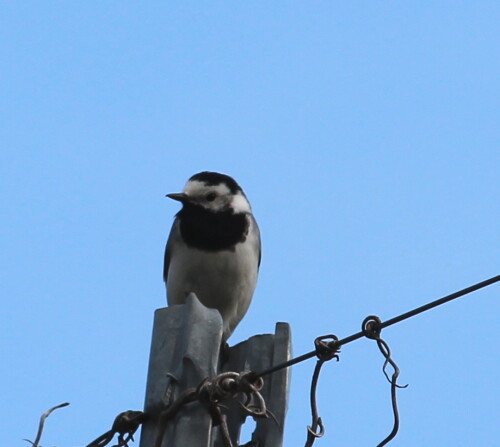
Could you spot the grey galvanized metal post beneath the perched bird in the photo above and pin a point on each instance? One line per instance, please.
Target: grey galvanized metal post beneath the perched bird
(184, 351)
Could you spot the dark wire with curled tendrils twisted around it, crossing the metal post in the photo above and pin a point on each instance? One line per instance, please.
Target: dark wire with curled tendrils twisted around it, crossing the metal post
(249, 383)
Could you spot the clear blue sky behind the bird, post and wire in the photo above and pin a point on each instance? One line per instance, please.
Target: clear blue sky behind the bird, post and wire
(366, 135)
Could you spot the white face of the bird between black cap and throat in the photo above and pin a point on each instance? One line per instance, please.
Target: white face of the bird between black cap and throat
(216, 197)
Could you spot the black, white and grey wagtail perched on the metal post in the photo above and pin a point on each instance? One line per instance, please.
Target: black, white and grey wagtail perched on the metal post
(214, 248)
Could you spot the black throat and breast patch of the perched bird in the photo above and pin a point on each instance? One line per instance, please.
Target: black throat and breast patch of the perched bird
(212, 231)
